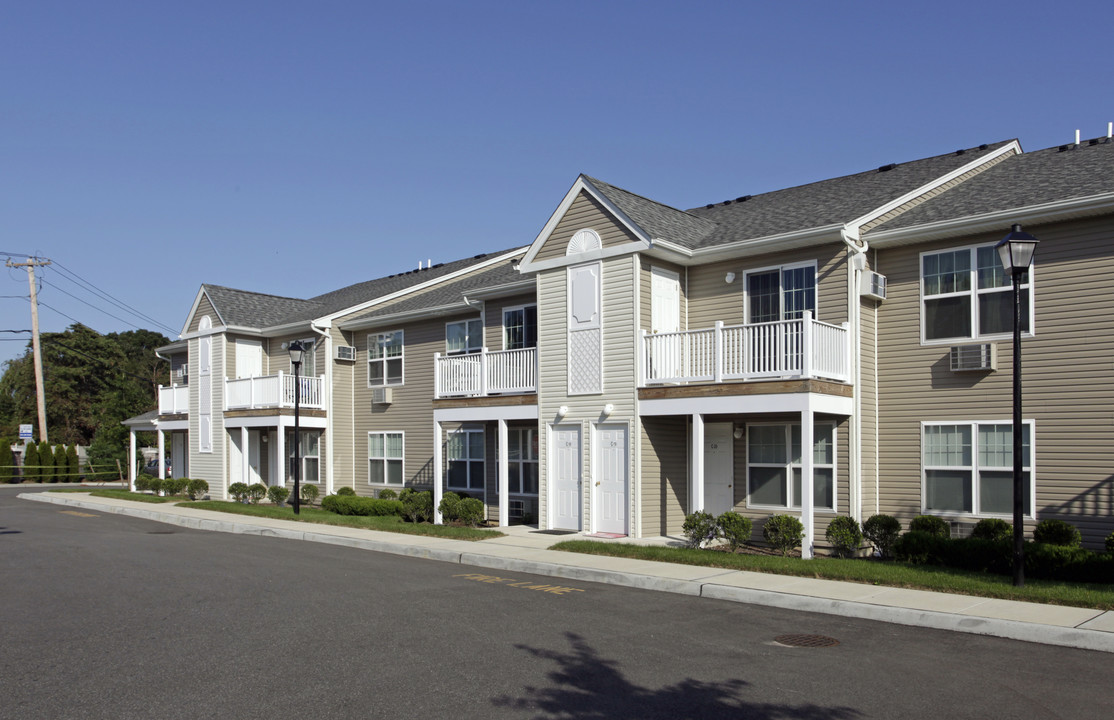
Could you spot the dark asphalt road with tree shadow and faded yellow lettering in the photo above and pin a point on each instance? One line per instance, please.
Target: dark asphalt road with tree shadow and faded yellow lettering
(112, 617)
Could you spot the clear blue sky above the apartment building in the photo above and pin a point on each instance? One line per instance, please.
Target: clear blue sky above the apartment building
(296, 148)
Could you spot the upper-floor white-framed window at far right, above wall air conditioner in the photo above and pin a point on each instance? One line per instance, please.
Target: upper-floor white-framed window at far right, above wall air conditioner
(966, 296)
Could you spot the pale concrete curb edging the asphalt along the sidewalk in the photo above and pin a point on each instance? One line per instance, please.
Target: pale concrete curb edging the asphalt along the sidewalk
(1014, 630)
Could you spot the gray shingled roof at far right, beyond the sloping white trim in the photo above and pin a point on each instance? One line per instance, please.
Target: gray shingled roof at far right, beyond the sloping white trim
(1022, 181)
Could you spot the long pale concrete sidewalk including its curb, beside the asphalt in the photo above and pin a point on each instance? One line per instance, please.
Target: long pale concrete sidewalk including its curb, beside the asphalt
(525, 550)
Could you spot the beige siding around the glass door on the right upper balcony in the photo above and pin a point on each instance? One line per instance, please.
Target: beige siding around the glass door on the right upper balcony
(711, 298)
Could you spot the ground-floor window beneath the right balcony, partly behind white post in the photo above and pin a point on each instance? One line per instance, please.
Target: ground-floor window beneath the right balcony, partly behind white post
(774, 465)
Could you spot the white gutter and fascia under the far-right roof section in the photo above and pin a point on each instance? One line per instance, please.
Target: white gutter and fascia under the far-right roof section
(1044, 212)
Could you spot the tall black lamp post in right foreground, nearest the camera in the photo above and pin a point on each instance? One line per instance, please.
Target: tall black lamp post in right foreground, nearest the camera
(1017, 252)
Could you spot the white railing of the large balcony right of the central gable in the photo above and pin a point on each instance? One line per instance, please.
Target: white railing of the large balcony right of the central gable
(804, 348)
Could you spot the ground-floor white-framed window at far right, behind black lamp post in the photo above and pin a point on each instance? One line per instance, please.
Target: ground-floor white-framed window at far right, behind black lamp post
(970, 468)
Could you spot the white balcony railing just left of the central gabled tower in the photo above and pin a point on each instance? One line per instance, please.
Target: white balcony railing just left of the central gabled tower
(485, 373)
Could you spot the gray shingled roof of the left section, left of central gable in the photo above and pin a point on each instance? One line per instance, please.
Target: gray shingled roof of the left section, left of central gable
(258, 310)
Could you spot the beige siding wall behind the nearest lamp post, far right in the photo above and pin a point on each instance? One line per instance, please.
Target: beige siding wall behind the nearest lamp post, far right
(1068, 376)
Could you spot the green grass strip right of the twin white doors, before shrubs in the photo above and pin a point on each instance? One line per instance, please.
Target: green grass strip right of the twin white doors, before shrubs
(891, 575)
